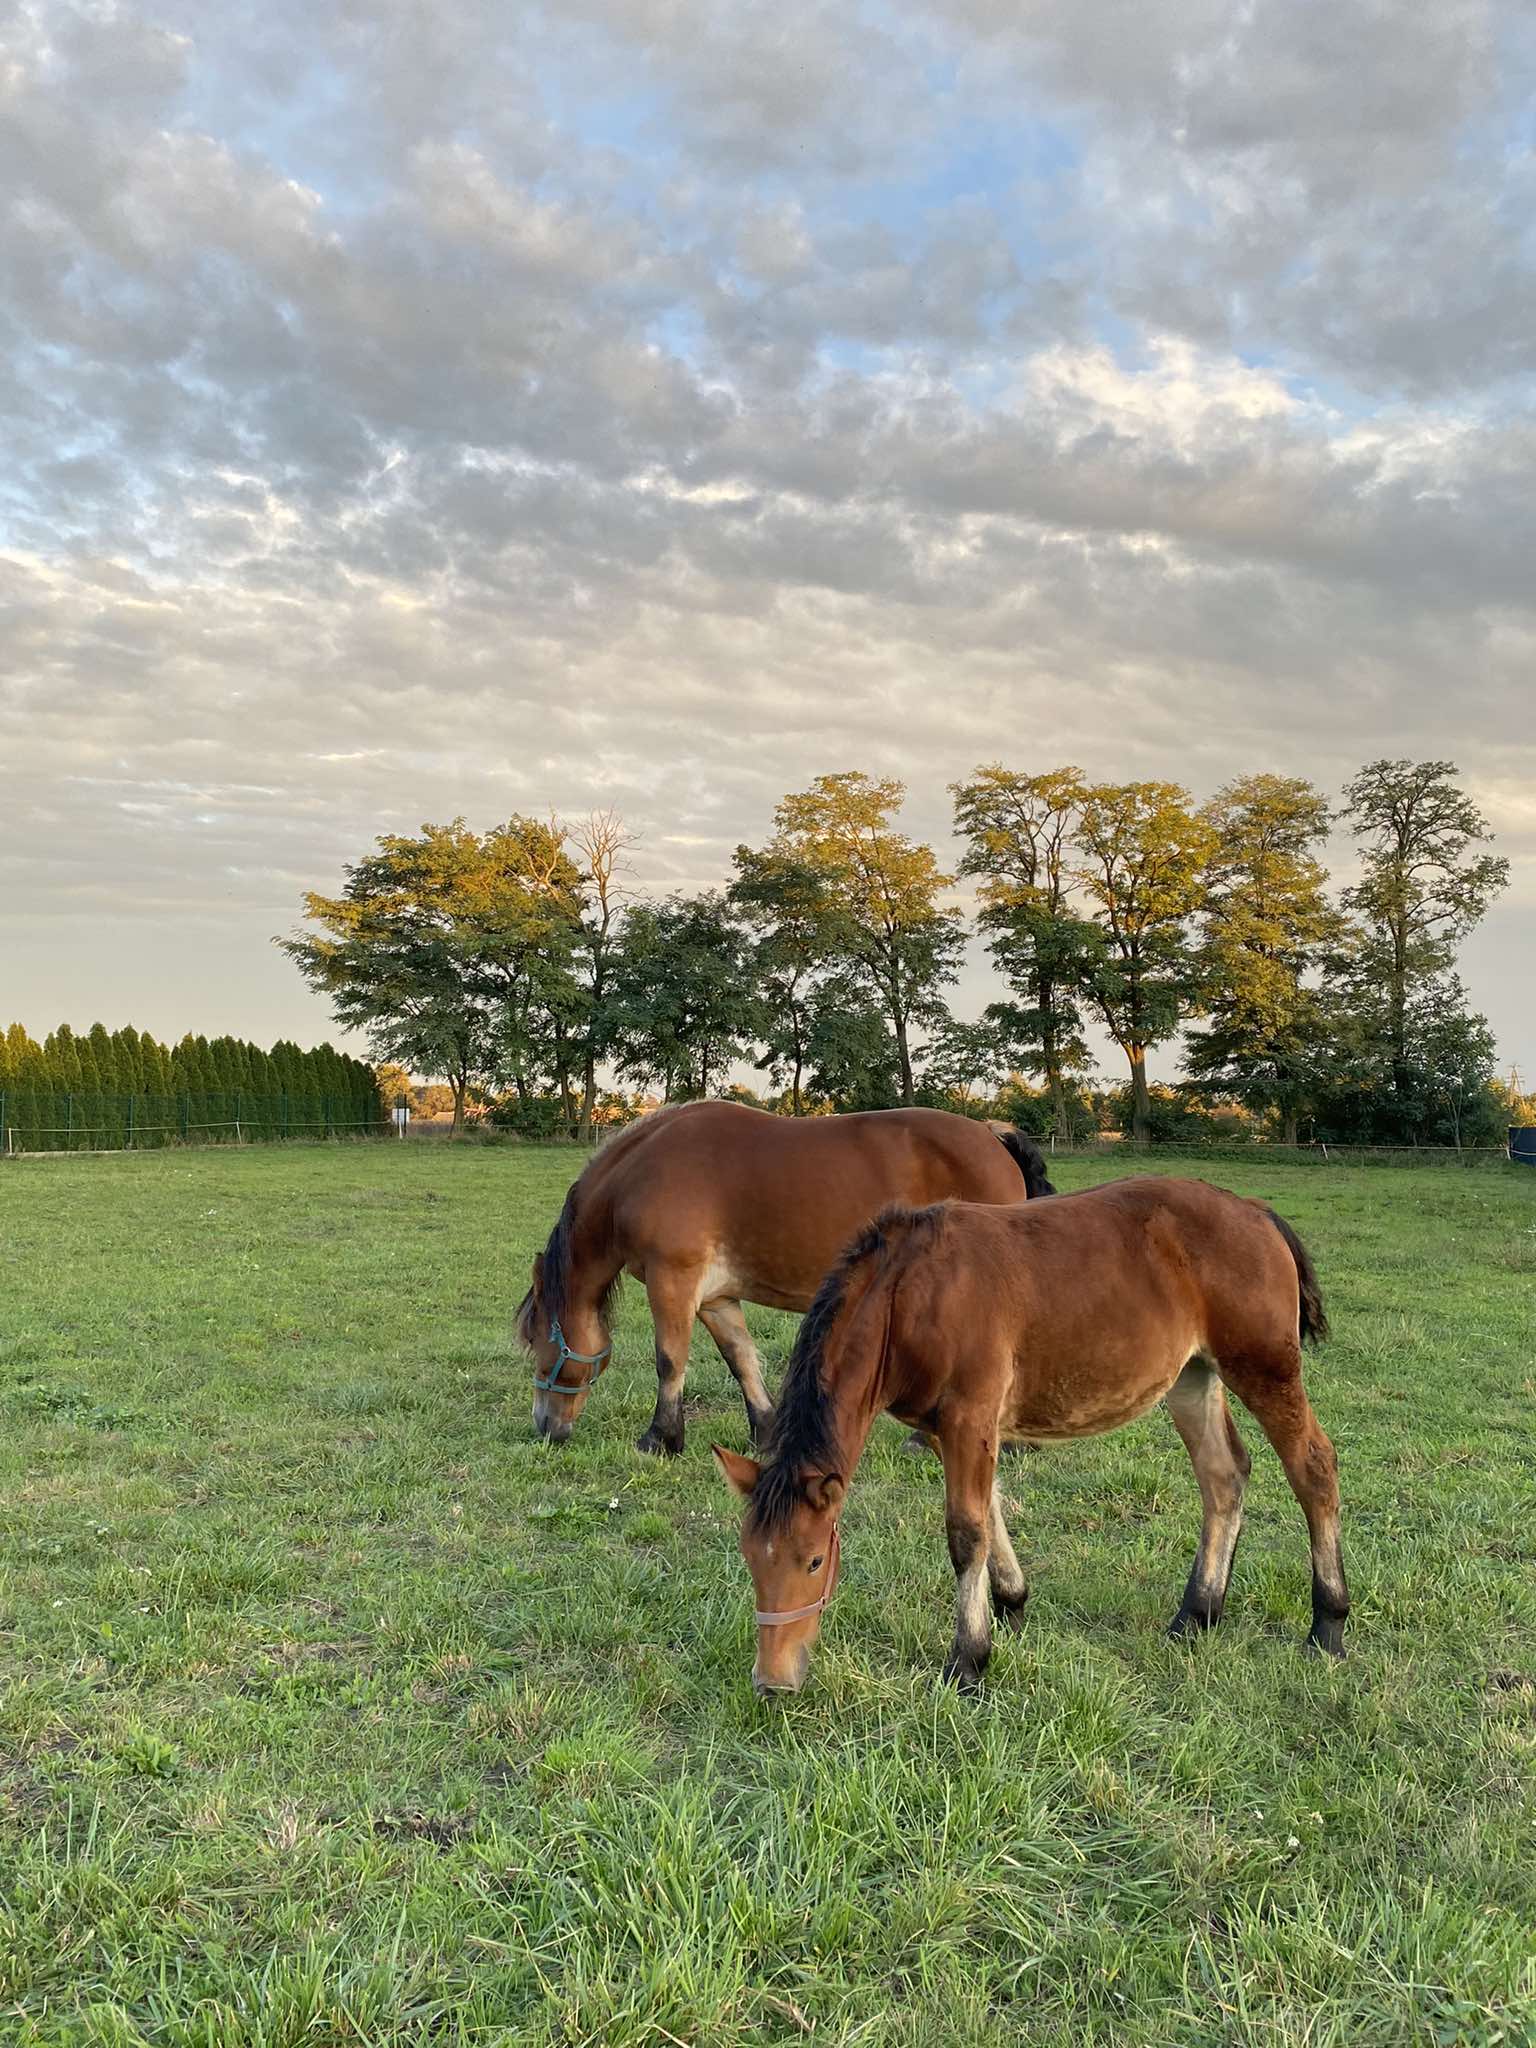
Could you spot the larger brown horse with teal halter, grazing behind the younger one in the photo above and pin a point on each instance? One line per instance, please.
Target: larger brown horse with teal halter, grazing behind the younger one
(712, 1205)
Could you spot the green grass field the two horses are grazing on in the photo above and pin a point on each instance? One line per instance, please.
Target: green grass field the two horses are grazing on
(337, 1711)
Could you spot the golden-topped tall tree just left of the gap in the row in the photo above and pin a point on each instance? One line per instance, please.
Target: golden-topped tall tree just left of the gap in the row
(890, 888)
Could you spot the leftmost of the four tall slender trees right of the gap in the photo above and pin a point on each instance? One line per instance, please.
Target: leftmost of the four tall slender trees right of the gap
(1019, 841)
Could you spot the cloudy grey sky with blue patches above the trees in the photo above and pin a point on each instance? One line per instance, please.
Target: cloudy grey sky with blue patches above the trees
(425, 411)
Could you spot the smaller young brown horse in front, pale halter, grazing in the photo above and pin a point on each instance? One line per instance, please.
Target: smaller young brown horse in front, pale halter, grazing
(1041, 1324)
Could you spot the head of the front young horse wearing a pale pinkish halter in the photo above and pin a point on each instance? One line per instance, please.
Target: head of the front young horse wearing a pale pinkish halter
(792, 1549)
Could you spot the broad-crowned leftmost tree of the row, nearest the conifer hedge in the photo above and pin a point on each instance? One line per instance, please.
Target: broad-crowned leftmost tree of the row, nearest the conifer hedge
(447, 945)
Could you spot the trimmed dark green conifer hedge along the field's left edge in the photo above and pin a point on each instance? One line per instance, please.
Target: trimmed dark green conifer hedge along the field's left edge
(108, 1091)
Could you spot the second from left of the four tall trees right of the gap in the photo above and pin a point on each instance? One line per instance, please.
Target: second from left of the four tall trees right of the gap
(1144, 859)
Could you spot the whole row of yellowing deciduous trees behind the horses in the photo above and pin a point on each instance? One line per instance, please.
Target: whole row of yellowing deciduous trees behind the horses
(519, 964)
